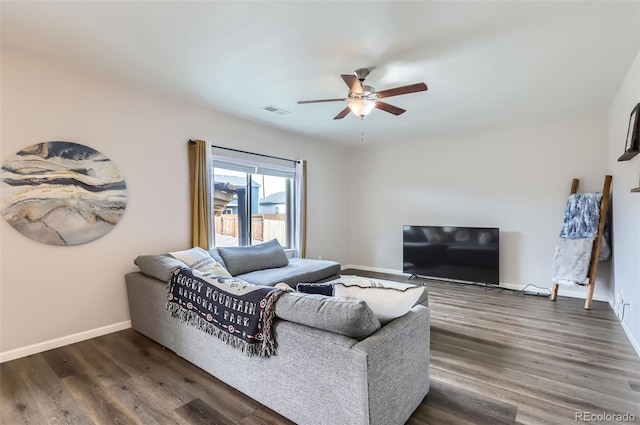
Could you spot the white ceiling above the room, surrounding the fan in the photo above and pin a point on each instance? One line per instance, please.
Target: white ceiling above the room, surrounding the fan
(486, 63)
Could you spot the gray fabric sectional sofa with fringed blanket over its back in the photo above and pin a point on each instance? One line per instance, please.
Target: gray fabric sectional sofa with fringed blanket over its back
(335, 362)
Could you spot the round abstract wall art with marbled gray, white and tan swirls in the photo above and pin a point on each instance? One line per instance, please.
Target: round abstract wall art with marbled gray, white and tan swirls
(62, 193)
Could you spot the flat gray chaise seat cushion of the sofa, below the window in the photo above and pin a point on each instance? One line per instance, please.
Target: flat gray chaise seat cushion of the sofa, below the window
(298, 270)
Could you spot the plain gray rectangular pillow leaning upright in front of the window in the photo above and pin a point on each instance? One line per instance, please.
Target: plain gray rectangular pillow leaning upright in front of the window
(244, 259)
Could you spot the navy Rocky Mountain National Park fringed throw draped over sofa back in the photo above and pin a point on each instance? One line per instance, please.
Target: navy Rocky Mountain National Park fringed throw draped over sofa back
(239, 313)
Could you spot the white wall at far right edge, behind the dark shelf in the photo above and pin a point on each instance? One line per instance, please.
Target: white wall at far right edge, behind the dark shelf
(626, 206)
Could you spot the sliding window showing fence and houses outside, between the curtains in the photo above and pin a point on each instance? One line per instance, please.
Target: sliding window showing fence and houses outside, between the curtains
(255, 201)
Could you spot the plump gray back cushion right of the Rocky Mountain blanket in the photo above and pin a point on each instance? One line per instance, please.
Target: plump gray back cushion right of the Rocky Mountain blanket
(345, 316)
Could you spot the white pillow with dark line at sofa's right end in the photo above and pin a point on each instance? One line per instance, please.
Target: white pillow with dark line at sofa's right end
(387, 300)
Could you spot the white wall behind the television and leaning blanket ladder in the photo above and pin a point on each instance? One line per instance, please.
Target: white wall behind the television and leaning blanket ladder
(517, 179)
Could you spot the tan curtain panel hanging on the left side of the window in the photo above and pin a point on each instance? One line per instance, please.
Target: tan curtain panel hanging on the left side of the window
(199, 180)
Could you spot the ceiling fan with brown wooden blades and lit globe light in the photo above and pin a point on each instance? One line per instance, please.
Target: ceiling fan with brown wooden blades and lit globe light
(362, 98)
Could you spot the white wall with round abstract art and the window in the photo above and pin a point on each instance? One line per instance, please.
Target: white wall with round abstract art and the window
(52, 295)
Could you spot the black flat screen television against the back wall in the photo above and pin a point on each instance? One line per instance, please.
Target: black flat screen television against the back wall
(468, 254)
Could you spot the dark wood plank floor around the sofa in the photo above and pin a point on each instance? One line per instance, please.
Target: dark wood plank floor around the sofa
(496, 358)
